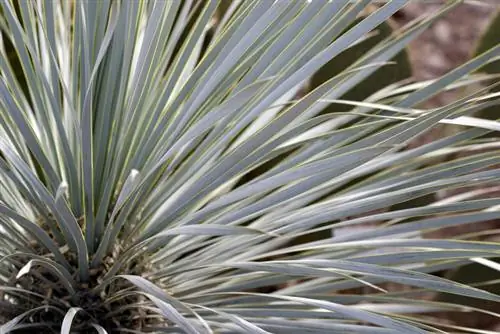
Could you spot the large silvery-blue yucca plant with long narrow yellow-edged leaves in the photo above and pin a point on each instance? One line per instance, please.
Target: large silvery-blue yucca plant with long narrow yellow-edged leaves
(128, 131)
